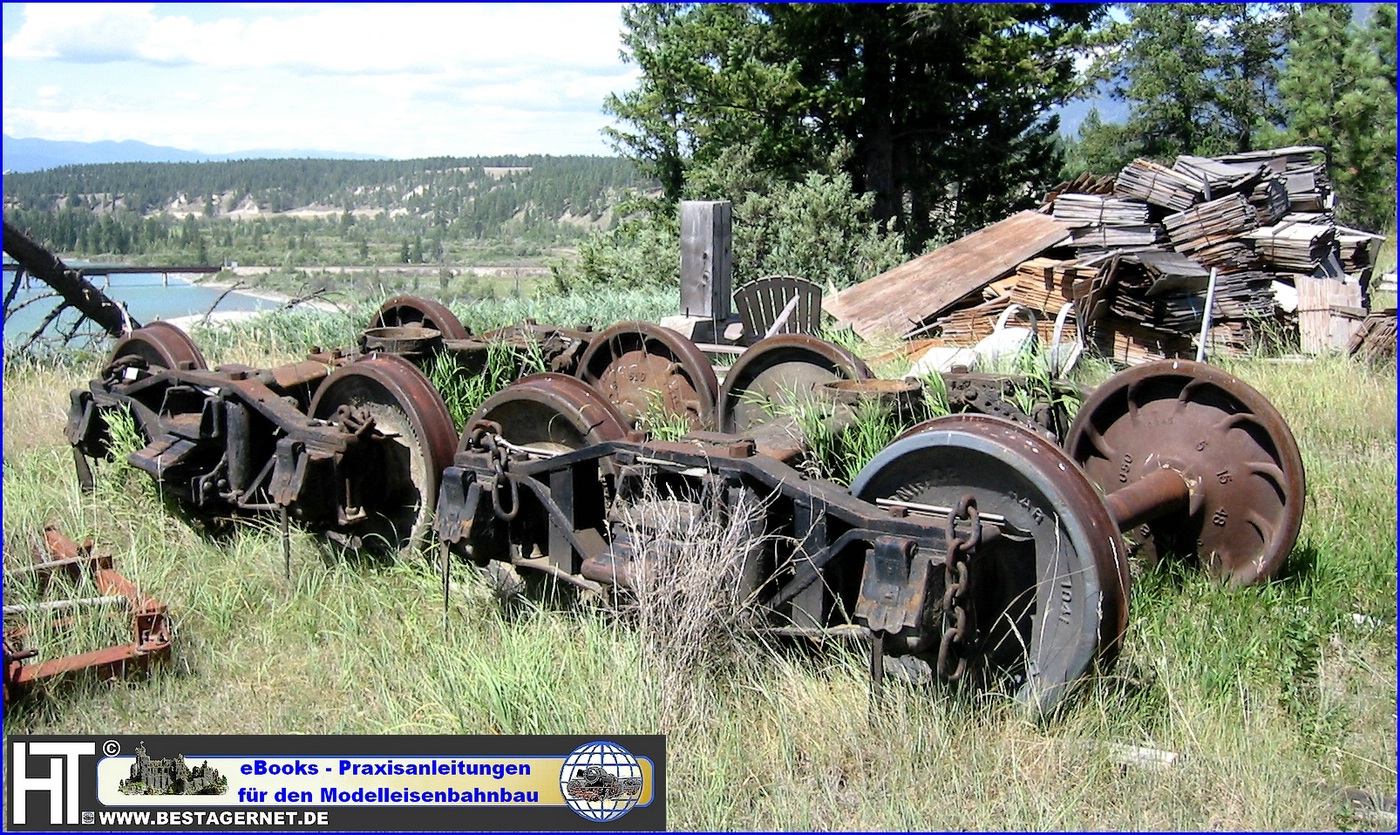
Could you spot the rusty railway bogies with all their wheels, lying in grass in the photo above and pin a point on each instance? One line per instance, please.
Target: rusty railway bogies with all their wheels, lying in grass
(972, 543)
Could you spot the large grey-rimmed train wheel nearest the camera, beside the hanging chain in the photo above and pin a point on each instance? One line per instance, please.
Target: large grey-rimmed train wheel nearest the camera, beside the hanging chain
(1051, 595)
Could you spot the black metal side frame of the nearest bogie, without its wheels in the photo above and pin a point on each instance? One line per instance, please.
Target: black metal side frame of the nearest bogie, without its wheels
(825, 527)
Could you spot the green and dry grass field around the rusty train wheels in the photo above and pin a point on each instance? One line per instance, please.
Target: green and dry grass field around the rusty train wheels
(1275, 698)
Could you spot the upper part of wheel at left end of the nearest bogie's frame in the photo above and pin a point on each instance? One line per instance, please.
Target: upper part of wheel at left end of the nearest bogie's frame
(554, 413)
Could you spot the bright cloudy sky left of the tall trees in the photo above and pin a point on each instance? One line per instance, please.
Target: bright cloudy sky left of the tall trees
(395, 81)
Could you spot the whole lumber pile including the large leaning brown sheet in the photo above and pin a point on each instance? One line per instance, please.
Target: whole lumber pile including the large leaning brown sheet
(1136, 257)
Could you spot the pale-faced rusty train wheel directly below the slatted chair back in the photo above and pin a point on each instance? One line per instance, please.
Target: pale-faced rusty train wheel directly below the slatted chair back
(782, 372)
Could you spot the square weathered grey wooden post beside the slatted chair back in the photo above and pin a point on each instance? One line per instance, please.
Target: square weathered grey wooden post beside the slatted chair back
(706, 260)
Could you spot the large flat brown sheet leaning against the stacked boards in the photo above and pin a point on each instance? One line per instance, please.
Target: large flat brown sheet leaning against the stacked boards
(904, 299)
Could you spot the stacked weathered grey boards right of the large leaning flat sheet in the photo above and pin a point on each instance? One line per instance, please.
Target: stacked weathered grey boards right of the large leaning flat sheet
(1262, 222)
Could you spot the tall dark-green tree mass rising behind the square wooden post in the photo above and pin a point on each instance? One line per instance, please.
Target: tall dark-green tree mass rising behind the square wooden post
(943, 106)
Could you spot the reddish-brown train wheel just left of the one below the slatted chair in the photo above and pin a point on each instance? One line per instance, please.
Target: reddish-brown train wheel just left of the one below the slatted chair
(643, 368)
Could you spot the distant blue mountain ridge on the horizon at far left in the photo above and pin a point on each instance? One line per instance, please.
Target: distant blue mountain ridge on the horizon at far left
(38, 155)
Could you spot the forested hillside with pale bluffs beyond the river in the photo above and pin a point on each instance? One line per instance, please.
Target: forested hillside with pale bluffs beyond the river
(314, 211)
